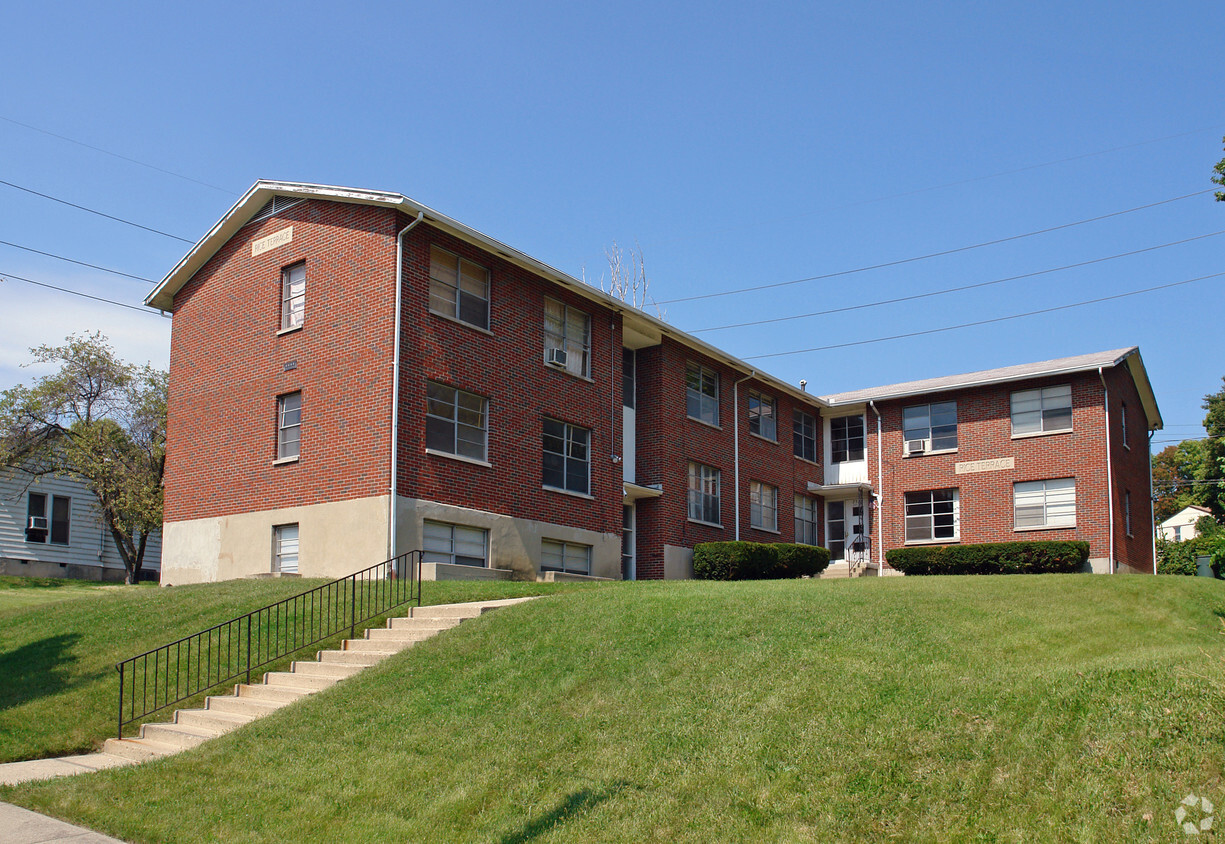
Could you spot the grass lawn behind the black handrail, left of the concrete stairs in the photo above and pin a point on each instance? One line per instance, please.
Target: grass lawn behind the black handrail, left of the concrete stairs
(59, 649)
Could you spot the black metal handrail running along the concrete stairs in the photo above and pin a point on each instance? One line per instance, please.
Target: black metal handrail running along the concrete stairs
(232, 650)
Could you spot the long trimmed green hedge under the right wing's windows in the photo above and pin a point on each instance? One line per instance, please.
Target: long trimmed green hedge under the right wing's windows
(1033, 558)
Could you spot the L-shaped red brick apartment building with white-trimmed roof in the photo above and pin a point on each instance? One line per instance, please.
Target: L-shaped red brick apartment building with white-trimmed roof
(526, 424)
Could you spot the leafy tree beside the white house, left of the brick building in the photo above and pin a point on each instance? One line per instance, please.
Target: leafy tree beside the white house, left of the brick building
(102, 422)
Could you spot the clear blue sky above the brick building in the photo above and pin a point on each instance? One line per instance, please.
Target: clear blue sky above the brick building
(739, 146)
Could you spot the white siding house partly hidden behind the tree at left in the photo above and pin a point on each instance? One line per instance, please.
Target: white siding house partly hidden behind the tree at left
(50, 527)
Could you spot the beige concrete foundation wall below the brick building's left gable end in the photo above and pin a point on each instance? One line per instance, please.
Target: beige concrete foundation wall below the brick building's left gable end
(335, 540)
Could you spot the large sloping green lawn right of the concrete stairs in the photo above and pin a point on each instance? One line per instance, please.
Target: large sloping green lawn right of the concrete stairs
(995, 709)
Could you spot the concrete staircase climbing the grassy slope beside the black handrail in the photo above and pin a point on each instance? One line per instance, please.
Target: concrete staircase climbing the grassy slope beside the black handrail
(252, 701)
